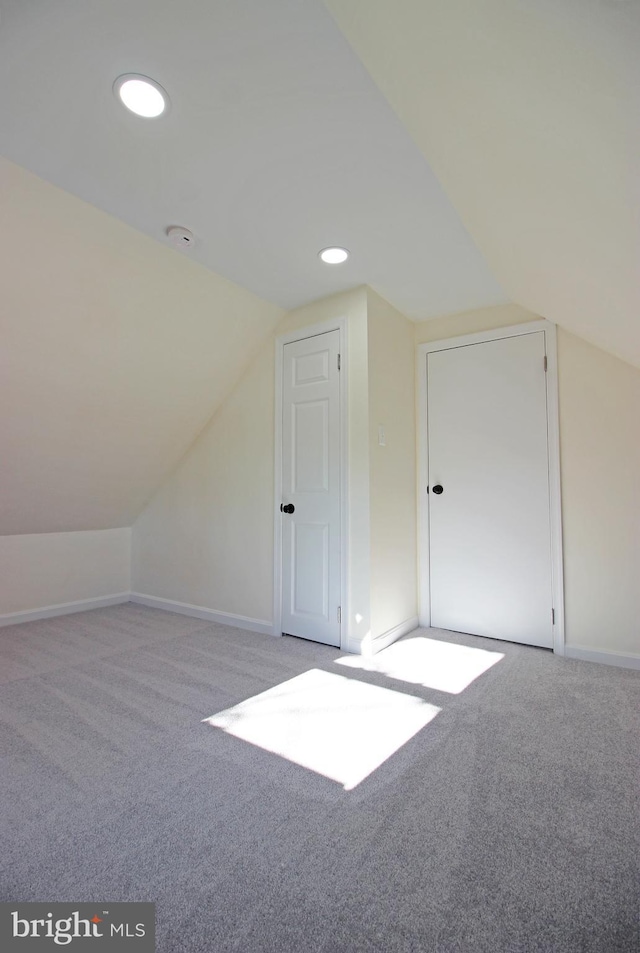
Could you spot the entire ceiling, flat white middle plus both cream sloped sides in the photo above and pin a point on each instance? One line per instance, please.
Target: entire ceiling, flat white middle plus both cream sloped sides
(467, 153)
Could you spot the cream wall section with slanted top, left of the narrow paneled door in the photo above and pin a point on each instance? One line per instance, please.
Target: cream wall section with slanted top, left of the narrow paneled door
(206, 538)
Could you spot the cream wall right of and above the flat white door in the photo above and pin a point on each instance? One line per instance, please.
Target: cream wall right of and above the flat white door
(599, 398)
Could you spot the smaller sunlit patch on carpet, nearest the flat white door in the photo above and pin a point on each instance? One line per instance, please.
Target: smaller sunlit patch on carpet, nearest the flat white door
(445, 666)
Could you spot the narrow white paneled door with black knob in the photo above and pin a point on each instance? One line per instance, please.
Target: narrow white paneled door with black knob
(310, 510)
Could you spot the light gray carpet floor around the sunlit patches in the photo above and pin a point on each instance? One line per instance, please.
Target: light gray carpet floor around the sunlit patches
(508, 824)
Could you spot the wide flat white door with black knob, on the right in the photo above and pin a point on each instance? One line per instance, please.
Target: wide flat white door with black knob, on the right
(489, 517)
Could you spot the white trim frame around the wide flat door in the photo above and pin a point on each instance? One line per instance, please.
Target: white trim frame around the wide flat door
(553, 443)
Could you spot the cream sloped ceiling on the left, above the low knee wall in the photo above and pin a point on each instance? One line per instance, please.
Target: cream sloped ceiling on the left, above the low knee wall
(114, 352)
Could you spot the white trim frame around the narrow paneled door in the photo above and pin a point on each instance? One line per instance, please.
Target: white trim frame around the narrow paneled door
(313, 330)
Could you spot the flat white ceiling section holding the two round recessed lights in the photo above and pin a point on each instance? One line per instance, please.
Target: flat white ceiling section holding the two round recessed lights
(277, 144)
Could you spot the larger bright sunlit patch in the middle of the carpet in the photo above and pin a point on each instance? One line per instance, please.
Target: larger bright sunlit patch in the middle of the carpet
(336, 726)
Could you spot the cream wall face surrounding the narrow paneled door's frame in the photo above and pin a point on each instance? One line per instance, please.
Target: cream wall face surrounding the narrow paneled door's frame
(206, 538)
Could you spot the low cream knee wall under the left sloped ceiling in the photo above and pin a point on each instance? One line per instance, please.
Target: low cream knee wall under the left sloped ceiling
(50, 569)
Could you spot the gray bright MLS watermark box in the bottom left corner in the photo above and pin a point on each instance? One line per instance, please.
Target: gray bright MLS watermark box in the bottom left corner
(126, 927)
